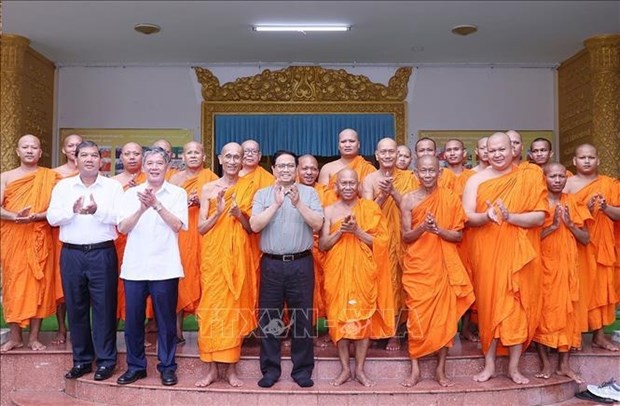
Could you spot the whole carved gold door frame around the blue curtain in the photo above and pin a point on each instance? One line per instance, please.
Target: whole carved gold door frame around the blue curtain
(305, 90)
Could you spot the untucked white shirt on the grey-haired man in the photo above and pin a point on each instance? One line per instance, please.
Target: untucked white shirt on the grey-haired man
(152, 251)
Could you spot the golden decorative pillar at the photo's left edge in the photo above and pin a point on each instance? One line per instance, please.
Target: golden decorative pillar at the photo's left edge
(27, 98)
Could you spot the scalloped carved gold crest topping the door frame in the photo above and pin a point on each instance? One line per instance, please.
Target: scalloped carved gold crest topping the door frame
(304, 84)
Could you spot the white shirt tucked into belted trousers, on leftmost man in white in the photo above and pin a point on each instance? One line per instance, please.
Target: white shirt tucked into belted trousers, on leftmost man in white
(85, 228)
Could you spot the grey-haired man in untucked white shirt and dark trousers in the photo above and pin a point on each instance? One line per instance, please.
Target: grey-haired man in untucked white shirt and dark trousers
(152, 214)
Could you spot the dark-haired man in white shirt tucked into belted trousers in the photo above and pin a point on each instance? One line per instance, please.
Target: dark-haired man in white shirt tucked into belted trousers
(84, 208)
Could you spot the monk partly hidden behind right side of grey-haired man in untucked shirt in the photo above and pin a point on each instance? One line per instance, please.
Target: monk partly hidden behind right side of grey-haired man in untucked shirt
(192, 179)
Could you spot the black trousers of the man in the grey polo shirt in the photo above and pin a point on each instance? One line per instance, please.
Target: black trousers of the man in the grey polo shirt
(291, 282)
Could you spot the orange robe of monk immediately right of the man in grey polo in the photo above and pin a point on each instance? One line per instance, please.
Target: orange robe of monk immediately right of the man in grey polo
(358, 286)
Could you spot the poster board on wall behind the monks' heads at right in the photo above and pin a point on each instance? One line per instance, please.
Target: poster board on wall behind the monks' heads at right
(471, 137)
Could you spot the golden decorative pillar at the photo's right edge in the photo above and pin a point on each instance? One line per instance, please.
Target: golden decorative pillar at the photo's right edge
(604, 53)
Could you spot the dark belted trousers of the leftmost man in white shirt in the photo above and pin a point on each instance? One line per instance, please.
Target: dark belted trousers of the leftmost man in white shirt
(90, 278)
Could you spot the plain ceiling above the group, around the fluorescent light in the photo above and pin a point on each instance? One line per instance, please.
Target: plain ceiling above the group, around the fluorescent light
(383, 32)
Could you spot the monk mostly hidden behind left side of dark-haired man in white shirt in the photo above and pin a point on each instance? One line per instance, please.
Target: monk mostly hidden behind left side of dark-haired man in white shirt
(68, 169)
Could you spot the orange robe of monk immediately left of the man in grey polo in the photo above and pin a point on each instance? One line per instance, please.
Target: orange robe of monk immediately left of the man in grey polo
(228, 301)
